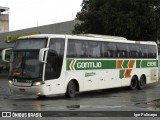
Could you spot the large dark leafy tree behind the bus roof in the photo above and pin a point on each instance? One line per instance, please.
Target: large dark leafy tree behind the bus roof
(133, 19)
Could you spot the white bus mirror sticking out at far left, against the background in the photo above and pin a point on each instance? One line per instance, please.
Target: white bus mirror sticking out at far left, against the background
(6, 54)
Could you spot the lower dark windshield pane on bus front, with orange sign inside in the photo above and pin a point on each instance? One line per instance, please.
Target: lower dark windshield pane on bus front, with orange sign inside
(26, 64)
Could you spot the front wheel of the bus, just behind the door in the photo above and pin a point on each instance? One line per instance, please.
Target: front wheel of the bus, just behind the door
(71, 90)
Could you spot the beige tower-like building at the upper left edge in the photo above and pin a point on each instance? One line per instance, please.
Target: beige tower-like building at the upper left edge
(4, 19)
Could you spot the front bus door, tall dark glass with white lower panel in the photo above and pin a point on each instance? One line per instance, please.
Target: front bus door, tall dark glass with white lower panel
(54, 65)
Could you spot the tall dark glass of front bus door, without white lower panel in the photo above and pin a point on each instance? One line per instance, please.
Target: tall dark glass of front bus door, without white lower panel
(54, 59)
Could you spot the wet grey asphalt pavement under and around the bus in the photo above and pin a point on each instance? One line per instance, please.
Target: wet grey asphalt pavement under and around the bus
(119, 99)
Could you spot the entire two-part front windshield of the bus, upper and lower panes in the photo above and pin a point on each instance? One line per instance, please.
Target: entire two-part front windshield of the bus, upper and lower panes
(25, 63)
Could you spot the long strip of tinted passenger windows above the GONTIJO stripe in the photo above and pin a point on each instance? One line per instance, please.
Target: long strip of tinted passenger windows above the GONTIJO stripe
(96, 49)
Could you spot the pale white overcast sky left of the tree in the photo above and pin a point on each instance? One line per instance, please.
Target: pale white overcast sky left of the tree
(32, 13)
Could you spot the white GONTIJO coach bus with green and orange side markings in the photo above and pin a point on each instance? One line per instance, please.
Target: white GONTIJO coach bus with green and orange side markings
(50, 64)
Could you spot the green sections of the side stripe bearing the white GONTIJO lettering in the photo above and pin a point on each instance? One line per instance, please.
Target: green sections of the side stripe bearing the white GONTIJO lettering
(106, 64)
